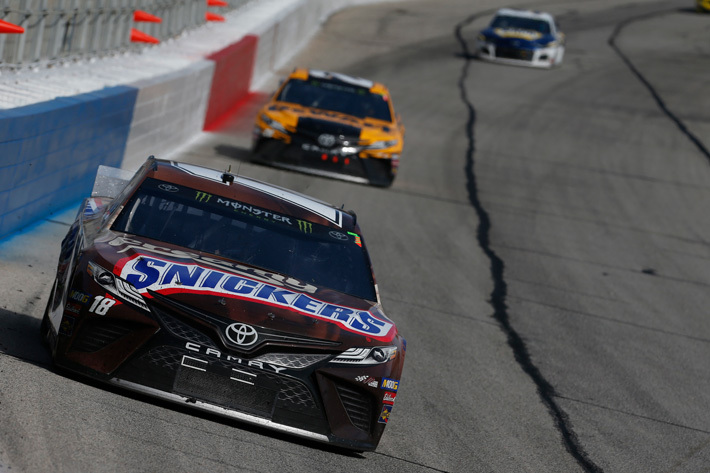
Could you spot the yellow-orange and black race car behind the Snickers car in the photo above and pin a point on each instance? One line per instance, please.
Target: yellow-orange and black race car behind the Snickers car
(333, 125)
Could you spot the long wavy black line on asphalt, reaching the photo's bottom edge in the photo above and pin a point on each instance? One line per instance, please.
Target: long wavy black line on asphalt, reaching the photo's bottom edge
(500, 289)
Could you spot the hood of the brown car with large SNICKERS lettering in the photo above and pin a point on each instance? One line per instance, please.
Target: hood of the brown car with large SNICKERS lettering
(216, 288)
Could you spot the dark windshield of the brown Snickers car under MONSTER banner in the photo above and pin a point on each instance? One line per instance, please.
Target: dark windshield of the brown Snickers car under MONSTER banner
(225, 227)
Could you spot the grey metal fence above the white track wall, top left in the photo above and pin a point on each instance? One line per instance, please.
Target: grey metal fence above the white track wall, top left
(62, 30)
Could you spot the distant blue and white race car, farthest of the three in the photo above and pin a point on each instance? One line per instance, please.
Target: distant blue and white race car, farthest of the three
(521, 37)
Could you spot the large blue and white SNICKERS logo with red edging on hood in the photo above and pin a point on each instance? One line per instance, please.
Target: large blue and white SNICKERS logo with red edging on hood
(165, 276)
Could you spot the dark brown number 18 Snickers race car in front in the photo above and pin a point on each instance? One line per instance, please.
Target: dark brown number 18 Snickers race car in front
(229, 295)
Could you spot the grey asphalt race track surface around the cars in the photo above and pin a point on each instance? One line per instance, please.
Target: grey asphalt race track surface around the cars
(545, 250)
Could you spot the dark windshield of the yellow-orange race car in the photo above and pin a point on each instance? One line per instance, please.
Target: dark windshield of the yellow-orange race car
(337, 97)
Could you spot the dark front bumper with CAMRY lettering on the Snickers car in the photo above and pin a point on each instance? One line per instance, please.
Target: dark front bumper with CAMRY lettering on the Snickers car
(299, 393)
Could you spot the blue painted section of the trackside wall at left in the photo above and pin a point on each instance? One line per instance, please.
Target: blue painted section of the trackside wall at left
(49, 152)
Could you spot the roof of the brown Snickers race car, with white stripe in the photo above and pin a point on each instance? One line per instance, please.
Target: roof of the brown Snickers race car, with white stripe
(252, 191)
